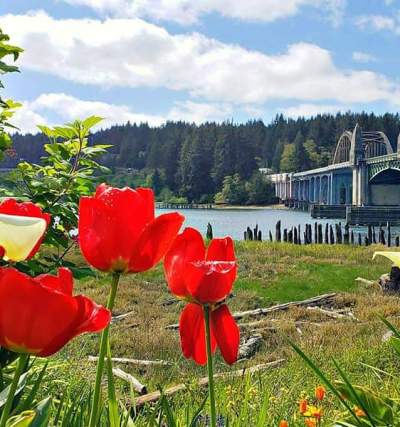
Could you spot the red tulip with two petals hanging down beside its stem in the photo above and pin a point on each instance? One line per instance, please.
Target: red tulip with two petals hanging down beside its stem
(203, 277)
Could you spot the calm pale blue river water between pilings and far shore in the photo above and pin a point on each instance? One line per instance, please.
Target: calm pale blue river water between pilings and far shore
(234, 222)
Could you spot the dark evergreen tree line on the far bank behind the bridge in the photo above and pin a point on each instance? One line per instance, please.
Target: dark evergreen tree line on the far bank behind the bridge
(216, 162)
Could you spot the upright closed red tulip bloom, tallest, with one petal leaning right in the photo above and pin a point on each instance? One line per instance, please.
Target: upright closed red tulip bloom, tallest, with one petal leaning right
(118, 231)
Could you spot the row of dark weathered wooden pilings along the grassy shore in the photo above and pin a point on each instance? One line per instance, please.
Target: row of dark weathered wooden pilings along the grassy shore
(329, 234)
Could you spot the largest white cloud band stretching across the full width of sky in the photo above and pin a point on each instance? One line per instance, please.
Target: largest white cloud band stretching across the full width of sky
(134, 53)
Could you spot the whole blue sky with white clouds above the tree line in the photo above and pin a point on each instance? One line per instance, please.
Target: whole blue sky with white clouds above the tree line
(201, 60)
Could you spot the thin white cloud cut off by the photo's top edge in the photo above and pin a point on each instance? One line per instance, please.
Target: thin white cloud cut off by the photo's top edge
(189, 11)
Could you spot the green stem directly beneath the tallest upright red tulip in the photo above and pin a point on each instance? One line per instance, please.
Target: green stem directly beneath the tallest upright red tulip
(94, 413)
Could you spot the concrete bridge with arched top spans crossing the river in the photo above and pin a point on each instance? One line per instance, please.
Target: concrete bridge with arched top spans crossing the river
(365, 173)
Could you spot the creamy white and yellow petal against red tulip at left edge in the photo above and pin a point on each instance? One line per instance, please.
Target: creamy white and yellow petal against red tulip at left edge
(19, 235)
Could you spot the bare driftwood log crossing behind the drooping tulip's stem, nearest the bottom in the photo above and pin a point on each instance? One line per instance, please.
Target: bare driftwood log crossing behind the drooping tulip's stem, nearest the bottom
(153, 397)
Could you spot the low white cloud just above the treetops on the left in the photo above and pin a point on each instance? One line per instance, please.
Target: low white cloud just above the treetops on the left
(67, 108)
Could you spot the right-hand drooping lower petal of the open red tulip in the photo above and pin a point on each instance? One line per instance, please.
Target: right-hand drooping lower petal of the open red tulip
(226, 333)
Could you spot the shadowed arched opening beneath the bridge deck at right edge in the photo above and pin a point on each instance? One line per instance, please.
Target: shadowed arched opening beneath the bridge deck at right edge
(384, 187)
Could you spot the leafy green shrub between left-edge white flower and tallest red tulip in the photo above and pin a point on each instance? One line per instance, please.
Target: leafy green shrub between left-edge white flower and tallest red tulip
(68, 171)
